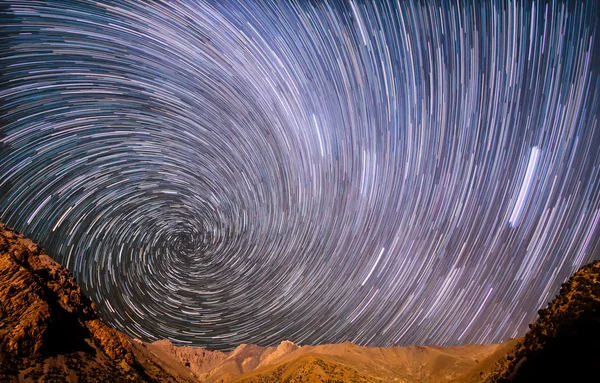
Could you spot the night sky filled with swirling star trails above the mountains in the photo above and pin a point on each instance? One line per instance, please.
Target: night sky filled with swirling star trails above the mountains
(218, 173)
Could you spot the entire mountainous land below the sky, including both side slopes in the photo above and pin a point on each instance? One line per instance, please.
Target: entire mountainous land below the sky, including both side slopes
(51, 332)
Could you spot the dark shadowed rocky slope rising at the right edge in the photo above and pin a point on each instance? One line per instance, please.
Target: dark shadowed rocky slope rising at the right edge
(563, 345)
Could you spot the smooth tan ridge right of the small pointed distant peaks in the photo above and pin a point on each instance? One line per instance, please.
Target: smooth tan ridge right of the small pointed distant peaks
(348, 362)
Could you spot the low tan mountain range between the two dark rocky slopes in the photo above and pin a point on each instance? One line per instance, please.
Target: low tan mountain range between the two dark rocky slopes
(332, 362)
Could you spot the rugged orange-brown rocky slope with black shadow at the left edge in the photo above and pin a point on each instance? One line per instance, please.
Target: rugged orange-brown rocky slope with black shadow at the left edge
(49, 330)
